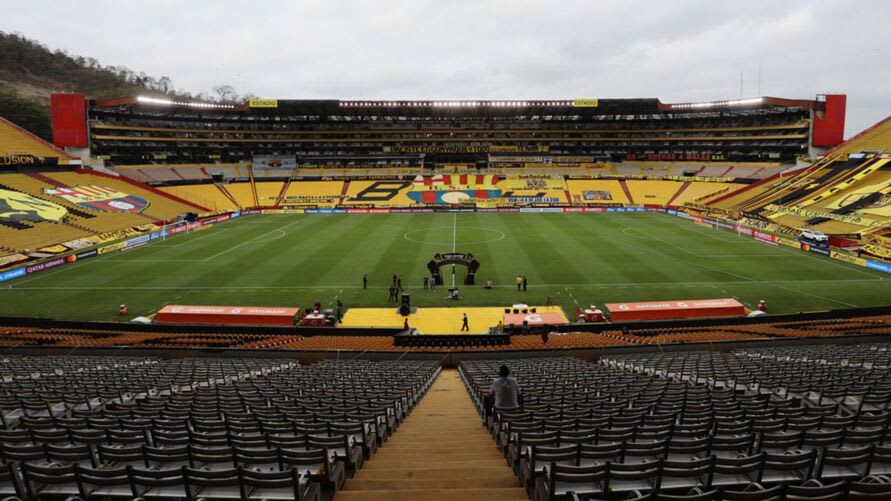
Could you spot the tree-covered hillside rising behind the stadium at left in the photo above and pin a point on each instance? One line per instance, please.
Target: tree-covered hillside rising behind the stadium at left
(31, 71)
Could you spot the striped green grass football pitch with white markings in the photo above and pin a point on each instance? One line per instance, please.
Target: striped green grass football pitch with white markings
(577, 259)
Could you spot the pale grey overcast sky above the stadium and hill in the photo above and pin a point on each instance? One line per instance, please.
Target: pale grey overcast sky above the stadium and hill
(677, 51)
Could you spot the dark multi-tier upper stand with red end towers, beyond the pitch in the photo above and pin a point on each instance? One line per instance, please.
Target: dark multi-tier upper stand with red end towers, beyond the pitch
(286, 133)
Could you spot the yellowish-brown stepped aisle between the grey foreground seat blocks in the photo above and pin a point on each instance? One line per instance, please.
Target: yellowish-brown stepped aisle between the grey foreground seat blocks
(440, 453)
